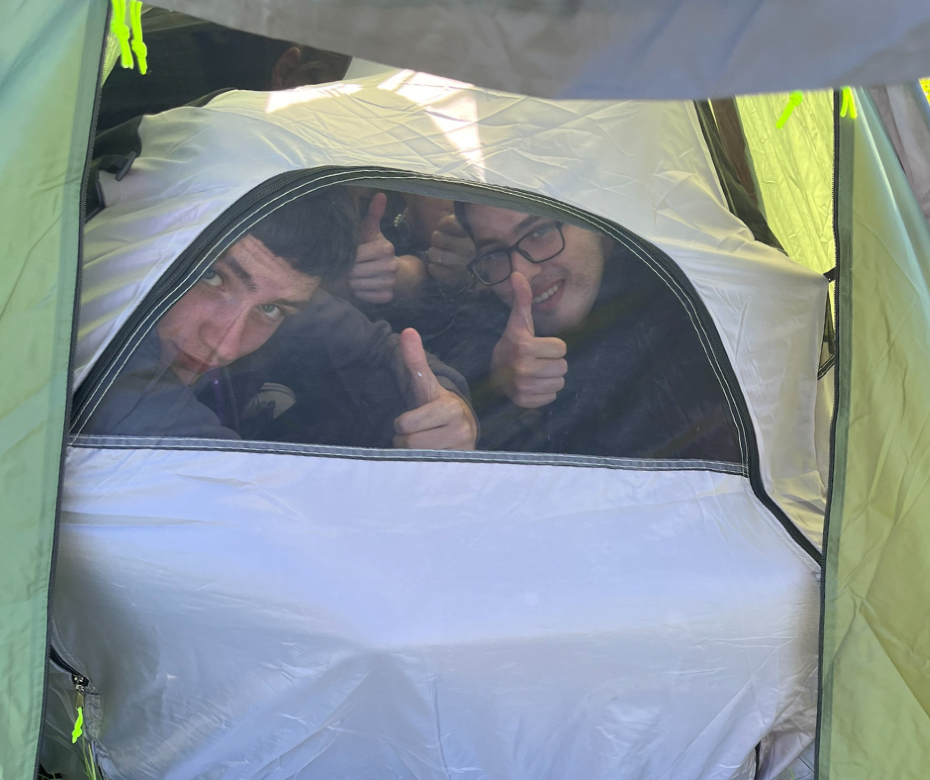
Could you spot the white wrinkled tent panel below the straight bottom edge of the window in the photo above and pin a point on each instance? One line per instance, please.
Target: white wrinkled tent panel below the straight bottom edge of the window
(275, 616)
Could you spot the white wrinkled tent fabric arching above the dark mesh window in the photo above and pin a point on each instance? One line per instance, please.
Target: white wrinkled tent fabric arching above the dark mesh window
(643, 165)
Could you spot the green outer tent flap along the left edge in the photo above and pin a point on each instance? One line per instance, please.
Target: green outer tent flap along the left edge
(49, 55)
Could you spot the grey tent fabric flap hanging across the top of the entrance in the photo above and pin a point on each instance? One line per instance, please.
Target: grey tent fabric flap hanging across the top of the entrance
(665, 49)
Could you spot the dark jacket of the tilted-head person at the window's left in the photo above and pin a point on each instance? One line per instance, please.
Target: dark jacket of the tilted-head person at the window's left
(328, 376)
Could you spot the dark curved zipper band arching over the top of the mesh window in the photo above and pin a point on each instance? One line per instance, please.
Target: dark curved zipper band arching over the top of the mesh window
(247, 210)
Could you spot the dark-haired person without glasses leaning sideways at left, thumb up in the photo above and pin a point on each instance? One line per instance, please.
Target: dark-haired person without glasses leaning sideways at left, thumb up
(326, 375)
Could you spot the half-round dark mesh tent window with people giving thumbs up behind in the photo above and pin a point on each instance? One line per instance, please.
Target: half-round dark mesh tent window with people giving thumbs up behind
(364, 317)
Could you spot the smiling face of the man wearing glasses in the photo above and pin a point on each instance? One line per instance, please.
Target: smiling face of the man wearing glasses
(565, 287)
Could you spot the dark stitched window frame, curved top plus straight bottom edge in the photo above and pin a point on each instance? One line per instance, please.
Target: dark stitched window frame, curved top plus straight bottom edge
(263, 200)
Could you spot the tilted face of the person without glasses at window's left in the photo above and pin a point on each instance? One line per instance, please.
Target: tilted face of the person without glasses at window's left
(232, 310)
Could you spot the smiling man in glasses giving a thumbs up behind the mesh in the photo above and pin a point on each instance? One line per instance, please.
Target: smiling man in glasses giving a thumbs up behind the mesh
(585, 349)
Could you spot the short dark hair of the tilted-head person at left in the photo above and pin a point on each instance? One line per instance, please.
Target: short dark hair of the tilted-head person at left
(315, 233)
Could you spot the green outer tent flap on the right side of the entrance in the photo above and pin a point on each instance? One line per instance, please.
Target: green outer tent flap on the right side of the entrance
(875, 719)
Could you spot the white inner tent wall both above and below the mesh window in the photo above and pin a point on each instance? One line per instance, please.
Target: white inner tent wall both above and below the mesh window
(257, 614)
